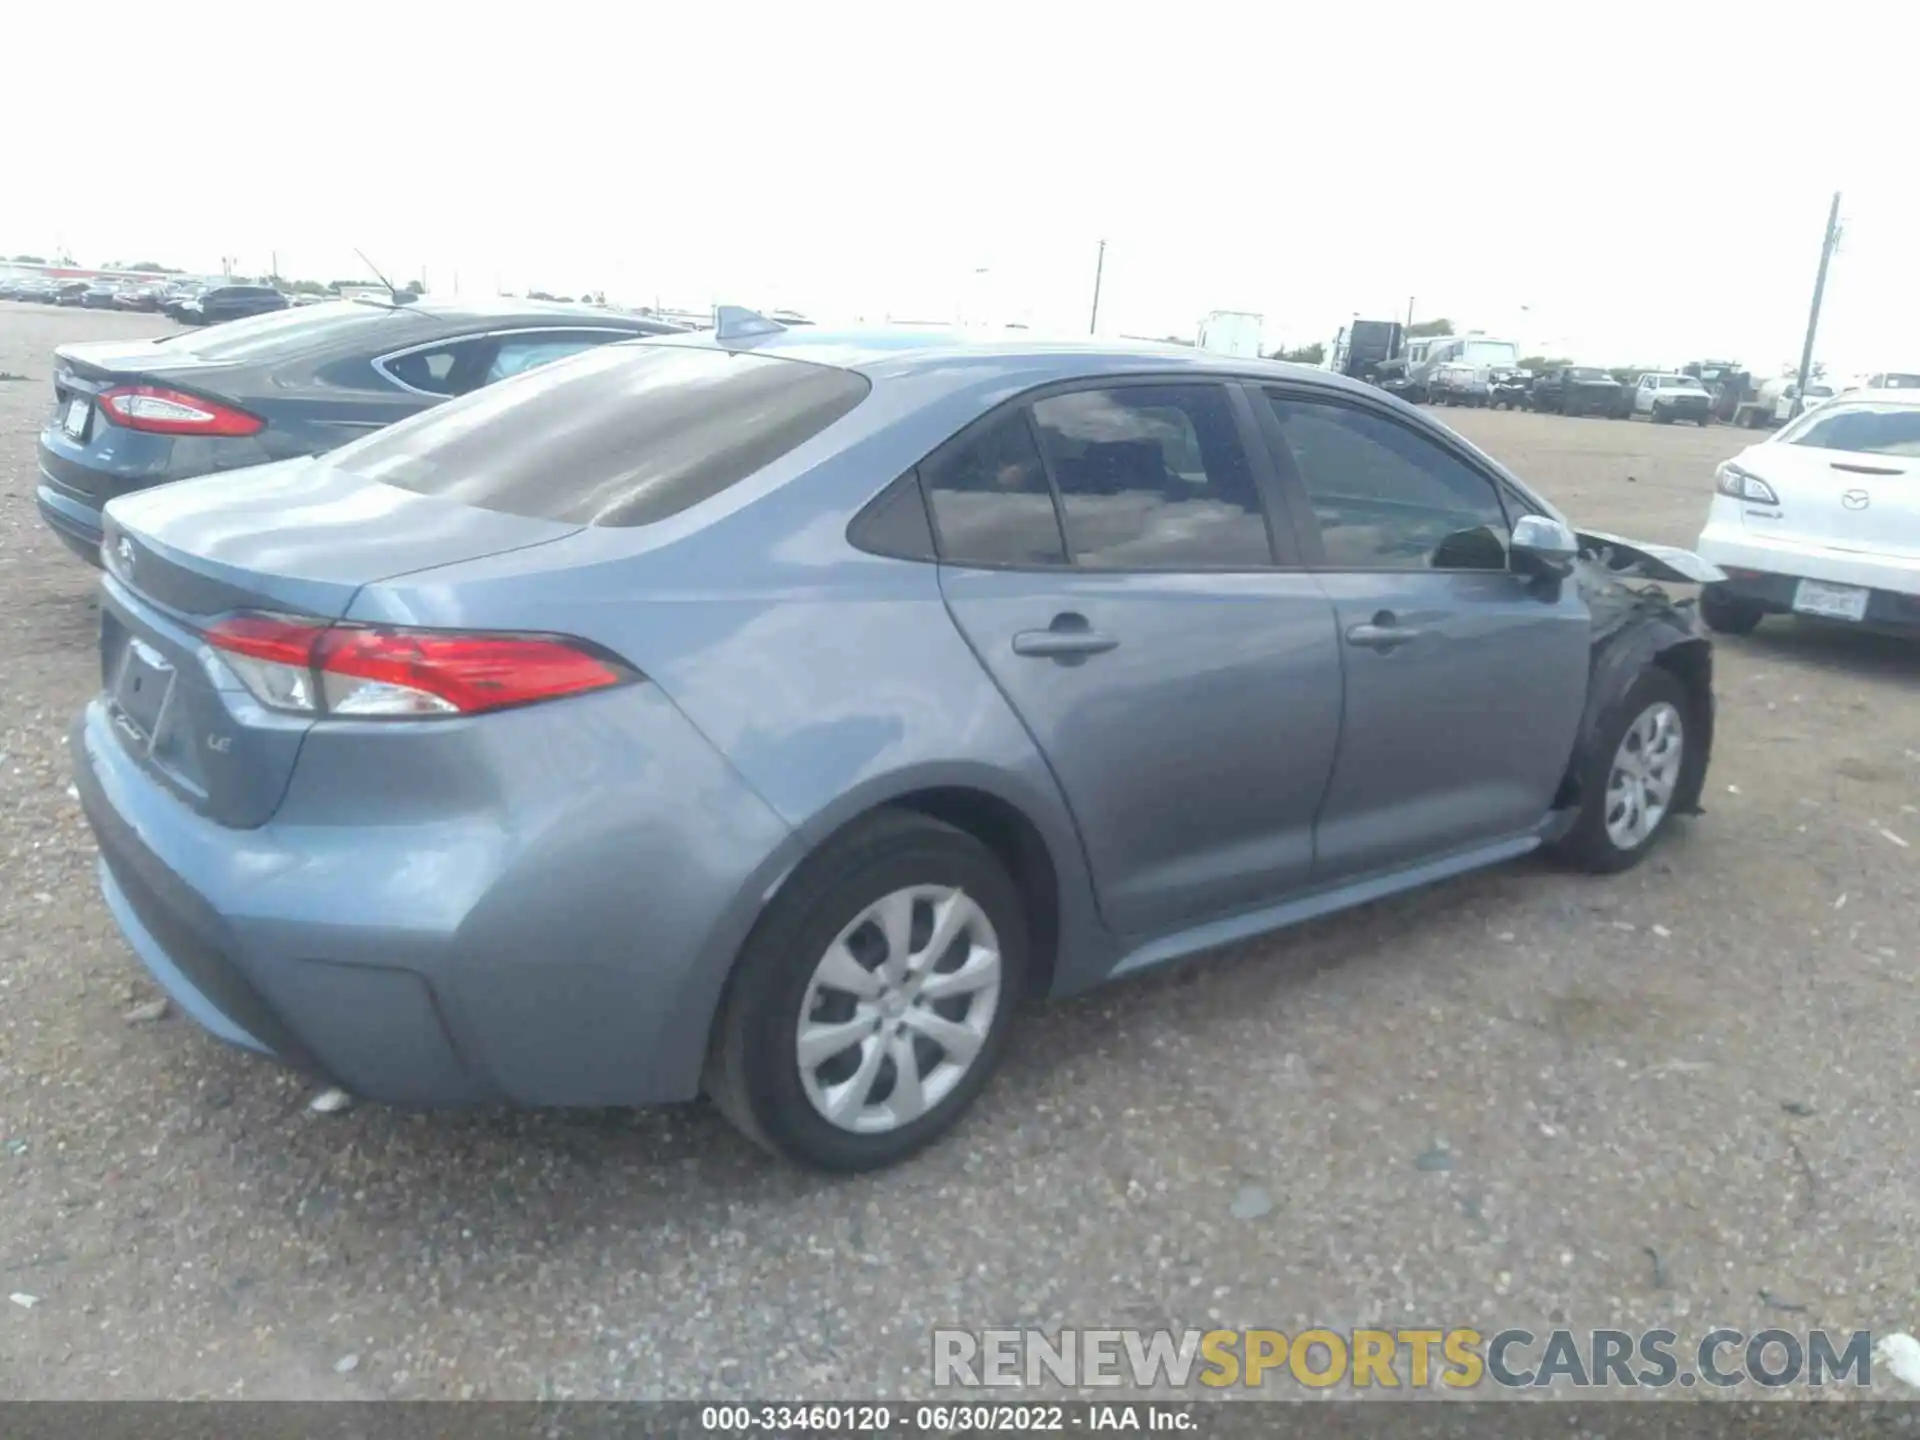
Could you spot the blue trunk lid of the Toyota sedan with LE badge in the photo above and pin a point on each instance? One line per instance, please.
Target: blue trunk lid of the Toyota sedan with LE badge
(293, 539)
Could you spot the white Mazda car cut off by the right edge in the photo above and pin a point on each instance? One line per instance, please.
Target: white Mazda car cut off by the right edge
(1823, 519)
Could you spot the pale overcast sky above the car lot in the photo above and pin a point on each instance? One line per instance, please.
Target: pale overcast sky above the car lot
(1650, 183)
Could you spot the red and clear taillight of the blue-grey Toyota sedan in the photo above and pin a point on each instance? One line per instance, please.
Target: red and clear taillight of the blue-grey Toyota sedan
(404, 675)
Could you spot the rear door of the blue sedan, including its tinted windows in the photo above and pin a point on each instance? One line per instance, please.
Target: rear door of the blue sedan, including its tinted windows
(1107, 554)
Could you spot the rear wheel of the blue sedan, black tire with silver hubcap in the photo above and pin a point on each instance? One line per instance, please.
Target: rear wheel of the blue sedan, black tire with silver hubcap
(873, 1001)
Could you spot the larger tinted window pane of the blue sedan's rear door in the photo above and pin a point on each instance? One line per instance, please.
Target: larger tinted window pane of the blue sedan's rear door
(1153, 477)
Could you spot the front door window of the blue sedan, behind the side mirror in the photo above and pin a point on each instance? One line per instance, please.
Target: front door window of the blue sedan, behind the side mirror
(1389, 498)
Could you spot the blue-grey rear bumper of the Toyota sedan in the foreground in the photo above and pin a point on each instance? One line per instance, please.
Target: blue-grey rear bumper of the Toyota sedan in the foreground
(560, 940)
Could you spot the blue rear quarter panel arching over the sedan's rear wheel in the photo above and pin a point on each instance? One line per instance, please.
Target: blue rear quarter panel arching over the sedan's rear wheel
(830, 681)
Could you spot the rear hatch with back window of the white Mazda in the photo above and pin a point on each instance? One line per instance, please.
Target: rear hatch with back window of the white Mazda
(1848, 477)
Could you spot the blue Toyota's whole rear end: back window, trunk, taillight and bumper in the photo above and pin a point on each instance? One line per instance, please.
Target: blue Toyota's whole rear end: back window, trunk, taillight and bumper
(383, 786)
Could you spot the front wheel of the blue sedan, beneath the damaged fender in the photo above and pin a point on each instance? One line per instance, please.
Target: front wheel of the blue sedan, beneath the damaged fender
(1633, 777)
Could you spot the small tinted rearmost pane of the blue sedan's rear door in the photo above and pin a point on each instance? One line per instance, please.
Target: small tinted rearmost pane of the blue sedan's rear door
(990, 498)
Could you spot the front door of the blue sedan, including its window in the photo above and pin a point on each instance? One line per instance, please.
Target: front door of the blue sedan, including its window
(1464, 683)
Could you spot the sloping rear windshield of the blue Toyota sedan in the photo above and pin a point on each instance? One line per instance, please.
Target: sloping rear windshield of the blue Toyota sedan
(625, 435)
